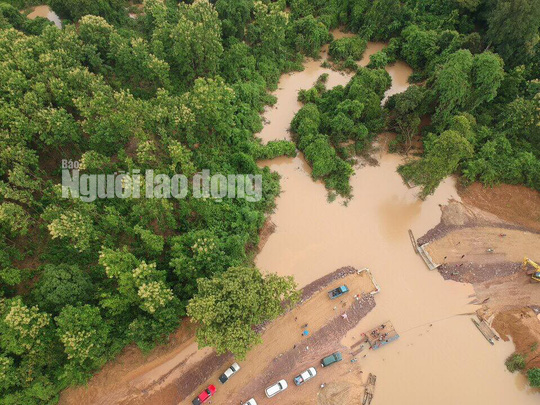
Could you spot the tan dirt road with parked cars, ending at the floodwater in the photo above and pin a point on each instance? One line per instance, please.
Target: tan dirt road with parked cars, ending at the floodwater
(285, 353)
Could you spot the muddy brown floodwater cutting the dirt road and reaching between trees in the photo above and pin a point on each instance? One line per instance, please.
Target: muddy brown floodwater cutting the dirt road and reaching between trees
(440, 358)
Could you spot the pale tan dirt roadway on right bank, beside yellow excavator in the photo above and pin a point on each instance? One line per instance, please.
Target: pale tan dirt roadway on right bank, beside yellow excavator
(477, 247)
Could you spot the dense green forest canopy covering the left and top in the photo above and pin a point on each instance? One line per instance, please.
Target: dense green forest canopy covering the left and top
(179, 89)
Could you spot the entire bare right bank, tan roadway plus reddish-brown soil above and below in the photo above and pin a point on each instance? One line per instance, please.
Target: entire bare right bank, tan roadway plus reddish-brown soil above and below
(483, 241)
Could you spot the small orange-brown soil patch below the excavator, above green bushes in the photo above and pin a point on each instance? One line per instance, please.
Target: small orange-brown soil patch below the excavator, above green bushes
(522, 325)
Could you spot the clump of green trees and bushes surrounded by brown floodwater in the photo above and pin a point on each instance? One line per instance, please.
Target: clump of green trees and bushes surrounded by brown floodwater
(332, 118)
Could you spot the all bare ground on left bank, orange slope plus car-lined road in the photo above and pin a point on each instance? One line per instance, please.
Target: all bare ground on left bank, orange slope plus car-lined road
(176, 376)
